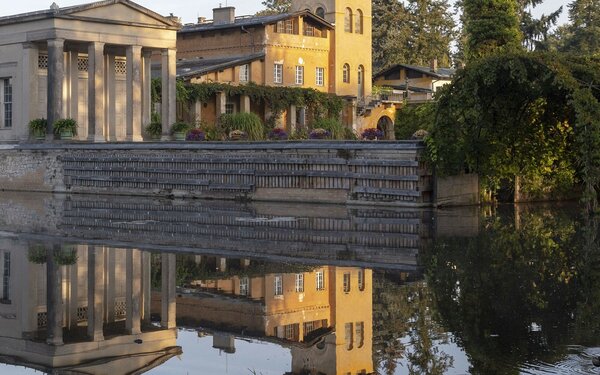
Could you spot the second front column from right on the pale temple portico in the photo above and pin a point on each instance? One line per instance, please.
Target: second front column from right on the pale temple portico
(134, 94)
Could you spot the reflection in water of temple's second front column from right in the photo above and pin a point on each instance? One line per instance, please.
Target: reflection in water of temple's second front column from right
(133, 277)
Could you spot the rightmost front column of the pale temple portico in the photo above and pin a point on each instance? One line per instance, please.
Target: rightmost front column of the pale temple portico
(169, 105)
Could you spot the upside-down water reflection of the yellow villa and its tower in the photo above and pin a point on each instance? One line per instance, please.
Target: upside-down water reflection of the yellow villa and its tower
(324, 314)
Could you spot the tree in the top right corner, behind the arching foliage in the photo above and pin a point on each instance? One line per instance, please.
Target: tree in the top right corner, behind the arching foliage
(583, 31)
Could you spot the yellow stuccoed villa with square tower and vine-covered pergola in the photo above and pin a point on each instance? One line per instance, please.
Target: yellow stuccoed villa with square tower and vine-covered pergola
(321, 44)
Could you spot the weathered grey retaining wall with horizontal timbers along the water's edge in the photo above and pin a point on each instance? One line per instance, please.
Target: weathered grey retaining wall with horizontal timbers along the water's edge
(333, 172)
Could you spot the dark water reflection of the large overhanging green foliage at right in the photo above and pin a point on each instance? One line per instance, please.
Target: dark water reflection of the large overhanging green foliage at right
(493, 291)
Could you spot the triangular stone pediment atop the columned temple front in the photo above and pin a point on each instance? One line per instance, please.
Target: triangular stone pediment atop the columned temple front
(121, 12)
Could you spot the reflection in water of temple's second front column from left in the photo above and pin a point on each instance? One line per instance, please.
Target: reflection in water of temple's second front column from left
(95, 293)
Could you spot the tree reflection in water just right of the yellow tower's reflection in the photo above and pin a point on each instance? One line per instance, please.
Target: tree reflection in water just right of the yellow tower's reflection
(405, 327)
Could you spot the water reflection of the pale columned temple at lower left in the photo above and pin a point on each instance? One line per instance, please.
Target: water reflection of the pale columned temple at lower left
(83, 309)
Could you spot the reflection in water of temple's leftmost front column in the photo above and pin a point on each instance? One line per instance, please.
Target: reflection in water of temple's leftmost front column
(54, 299)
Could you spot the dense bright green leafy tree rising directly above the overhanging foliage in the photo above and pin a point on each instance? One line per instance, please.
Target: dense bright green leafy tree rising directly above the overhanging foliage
(492, 26)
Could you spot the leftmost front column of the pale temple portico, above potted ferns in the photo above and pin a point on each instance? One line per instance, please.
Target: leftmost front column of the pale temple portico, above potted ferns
(56, 76)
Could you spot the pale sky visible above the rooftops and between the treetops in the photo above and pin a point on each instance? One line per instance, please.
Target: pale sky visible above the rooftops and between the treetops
(190, 10)
